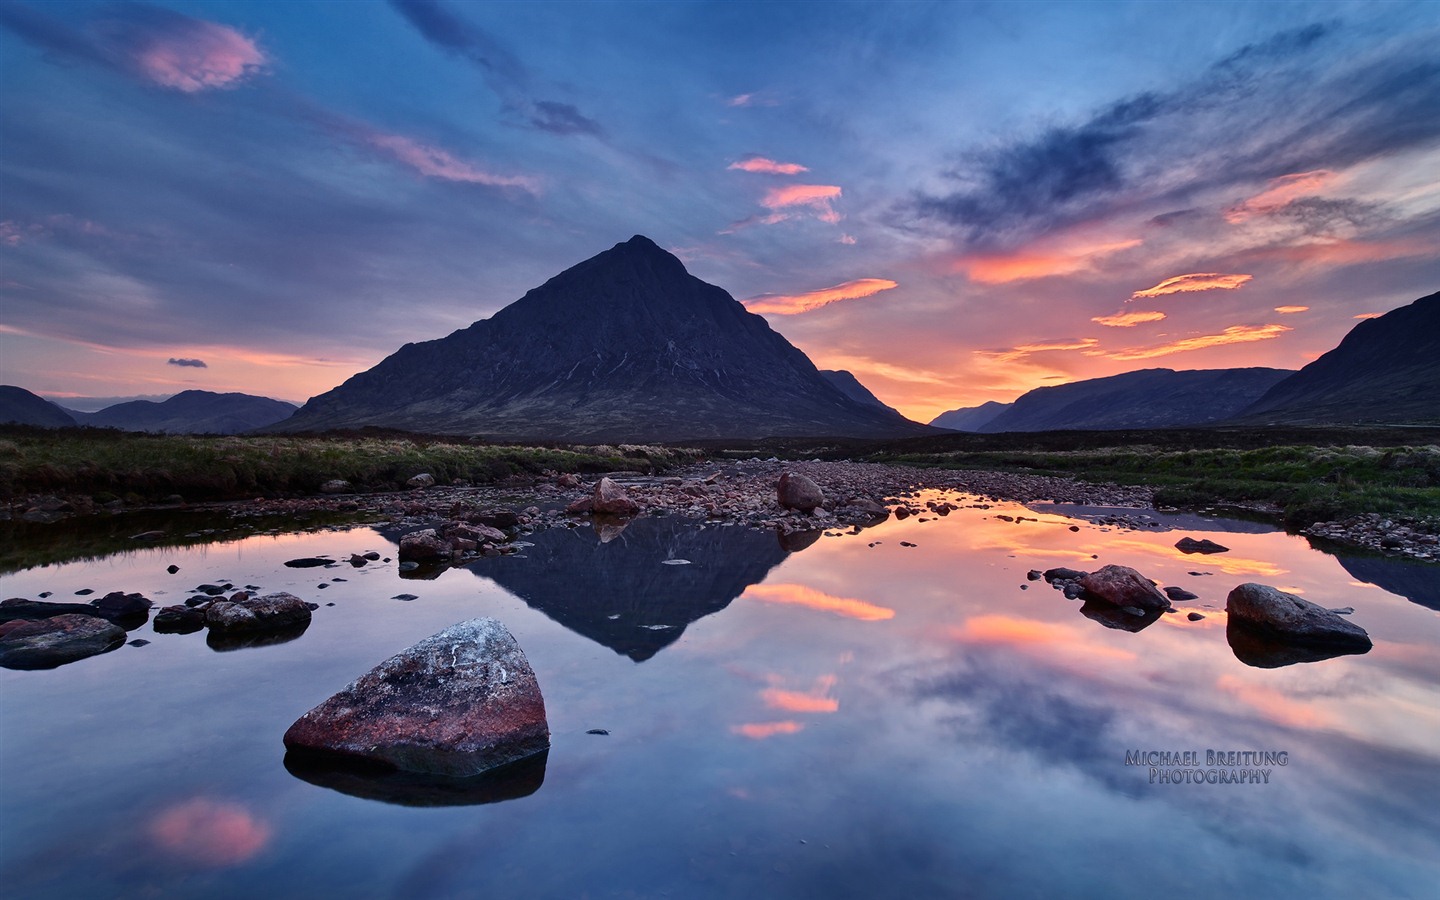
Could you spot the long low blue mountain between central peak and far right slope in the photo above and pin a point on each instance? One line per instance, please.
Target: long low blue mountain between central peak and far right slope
(1148, 398)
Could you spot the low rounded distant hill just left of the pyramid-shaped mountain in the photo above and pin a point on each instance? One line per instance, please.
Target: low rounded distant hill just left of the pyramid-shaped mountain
(192, 413)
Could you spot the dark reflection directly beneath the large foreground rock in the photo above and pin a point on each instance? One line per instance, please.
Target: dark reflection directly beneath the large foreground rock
(390, 786)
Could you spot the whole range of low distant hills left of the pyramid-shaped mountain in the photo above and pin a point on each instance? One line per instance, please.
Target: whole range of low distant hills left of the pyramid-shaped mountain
(189, 413)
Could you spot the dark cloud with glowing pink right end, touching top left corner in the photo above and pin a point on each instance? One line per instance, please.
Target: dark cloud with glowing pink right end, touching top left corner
(150, 44)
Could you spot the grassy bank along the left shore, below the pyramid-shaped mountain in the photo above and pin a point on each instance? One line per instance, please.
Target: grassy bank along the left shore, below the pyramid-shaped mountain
(107, 466)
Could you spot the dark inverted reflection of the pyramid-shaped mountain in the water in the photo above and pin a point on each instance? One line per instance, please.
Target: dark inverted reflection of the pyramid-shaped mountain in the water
(621, 594)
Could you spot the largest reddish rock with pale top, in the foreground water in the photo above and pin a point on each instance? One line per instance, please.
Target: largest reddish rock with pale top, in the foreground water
(457, 703)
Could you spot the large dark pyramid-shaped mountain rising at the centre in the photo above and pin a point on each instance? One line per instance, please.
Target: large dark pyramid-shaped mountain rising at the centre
(626, 346)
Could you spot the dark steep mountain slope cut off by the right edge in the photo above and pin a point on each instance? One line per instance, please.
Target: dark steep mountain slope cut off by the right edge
(1386, 371)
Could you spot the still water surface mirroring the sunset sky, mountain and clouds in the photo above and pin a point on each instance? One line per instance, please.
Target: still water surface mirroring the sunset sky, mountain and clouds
(836, 721)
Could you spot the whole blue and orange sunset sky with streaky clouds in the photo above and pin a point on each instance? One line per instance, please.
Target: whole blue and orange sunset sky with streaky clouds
(957, 202)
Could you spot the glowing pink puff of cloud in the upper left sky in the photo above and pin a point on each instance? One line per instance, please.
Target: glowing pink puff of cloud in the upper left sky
(191, 54)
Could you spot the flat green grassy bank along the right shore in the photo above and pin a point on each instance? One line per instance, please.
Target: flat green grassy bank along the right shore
(1307, 485)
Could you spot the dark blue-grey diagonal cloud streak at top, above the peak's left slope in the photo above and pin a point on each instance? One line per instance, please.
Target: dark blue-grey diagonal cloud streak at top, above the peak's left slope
(502, 70)
